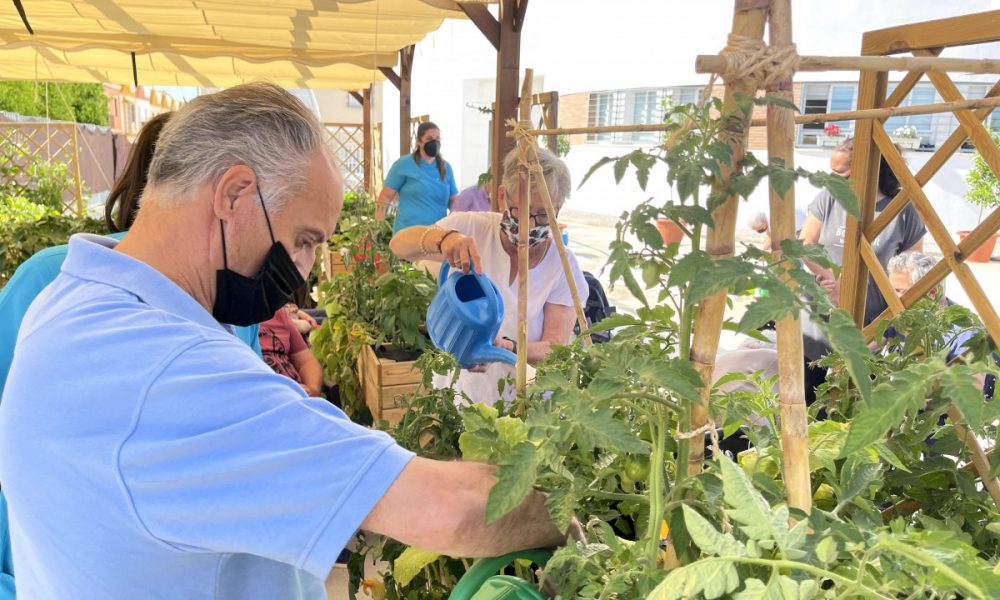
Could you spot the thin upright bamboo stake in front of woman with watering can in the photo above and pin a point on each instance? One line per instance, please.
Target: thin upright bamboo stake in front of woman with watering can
(524, 209)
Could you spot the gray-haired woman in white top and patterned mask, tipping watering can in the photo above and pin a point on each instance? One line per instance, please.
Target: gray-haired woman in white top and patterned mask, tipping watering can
(489, 241)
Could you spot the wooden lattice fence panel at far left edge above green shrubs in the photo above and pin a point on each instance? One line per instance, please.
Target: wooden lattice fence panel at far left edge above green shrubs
(22, 143)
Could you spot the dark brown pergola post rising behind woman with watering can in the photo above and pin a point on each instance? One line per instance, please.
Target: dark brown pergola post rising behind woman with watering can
(508, 73)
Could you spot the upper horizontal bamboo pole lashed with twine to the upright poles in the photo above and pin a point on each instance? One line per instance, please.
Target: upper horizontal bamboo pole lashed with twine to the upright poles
(714, 63)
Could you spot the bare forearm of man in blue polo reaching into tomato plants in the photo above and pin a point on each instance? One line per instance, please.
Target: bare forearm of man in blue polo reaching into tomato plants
(440, 506)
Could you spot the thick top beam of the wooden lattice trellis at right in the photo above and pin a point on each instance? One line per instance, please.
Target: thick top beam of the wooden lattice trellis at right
(977, 28)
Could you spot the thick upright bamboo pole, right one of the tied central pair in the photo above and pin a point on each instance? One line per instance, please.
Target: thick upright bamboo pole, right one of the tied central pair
(791, 378)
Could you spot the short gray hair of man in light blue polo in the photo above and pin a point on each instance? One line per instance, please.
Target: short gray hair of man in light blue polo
(259, 125)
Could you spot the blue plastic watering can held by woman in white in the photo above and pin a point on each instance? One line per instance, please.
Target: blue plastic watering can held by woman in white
(465, 317)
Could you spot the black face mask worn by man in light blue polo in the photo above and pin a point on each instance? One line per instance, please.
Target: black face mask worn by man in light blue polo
(244, 301)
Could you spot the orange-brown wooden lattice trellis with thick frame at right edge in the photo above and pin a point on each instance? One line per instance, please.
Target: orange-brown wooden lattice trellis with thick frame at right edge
(872, 141)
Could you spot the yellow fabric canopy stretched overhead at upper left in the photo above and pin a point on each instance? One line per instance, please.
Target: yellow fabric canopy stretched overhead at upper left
(214, 43)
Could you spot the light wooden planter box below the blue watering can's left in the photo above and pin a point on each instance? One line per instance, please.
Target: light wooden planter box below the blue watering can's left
(386, 384)
